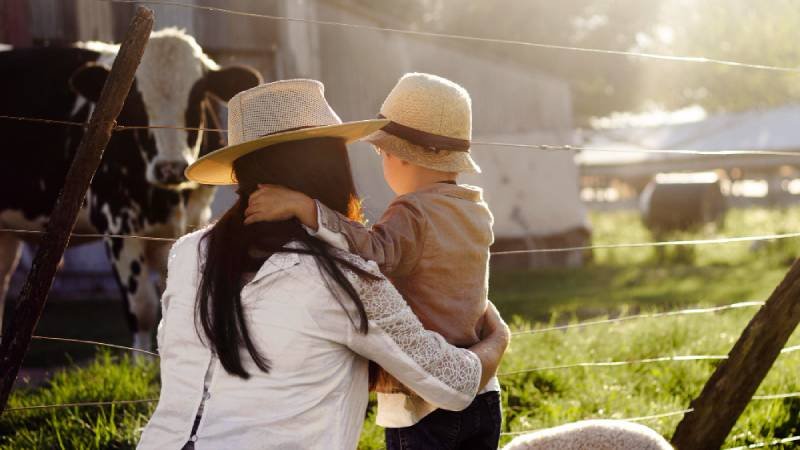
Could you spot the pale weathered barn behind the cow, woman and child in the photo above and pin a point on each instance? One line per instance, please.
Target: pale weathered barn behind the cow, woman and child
(534, 195)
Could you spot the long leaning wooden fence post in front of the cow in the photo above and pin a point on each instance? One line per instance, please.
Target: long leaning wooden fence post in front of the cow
(62, 220)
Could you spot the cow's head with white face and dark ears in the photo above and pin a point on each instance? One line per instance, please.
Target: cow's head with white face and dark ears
(174, 86)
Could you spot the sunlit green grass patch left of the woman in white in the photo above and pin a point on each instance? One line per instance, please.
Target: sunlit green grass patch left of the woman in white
(105, 378)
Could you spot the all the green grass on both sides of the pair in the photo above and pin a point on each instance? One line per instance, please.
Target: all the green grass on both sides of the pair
(621, 281)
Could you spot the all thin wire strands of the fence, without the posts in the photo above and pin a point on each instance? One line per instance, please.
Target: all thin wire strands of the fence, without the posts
(539, 147)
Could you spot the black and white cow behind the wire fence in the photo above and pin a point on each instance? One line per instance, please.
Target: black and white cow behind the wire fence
(139, 187)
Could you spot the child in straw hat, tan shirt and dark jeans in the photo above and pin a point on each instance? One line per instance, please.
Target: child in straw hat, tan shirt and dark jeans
(432, 243)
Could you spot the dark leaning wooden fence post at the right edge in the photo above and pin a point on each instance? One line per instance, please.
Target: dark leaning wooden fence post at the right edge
(733, 384)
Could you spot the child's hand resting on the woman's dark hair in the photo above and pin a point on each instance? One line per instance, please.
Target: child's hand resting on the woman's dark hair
(272, 203)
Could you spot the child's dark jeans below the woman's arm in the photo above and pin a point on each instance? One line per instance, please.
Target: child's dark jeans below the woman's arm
(477, 427)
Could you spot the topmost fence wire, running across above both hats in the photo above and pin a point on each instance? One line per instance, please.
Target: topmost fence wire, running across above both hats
(657, 56)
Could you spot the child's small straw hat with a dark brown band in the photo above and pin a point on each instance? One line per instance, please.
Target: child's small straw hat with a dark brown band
(431, 124)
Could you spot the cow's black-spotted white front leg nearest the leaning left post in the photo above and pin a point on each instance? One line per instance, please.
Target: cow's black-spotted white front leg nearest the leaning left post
(140, 299)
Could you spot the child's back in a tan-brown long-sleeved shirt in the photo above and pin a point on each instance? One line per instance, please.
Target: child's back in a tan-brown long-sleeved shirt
(444, 274)
